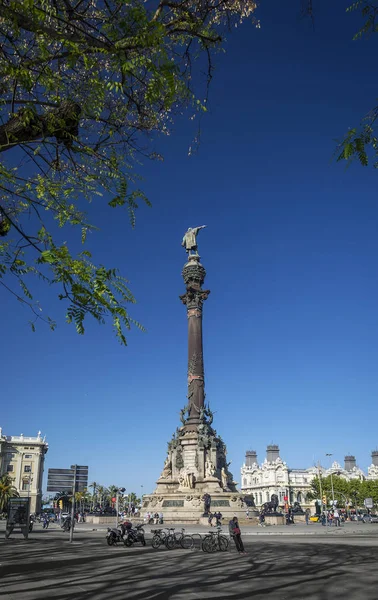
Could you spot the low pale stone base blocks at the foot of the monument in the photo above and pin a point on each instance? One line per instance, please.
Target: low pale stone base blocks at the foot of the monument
(189, 507)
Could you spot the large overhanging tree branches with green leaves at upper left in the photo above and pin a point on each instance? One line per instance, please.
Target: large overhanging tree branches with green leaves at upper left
(84, 86)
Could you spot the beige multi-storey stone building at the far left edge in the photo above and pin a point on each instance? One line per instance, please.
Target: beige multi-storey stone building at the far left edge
(22, 458)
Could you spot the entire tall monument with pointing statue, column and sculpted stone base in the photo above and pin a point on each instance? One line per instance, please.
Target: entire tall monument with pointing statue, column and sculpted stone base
(196, 478)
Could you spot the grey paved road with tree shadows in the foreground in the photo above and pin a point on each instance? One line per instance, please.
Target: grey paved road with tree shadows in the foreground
(336, 566)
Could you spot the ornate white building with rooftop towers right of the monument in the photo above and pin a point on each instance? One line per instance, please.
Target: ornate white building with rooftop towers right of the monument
(273, 476)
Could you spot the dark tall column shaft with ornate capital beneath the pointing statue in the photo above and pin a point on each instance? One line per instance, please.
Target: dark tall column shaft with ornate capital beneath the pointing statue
(194, 297)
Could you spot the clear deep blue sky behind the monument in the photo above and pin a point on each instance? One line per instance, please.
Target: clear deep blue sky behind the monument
(291, 325)
